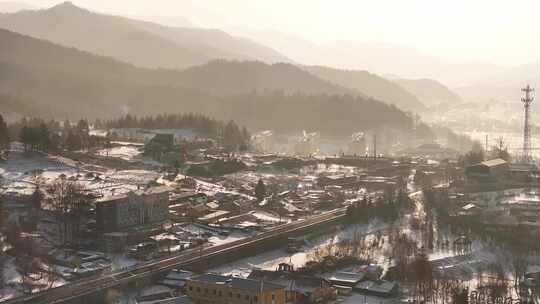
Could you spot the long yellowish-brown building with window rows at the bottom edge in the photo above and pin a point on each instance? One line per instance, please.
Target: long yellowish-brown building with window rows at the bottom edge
(217, 289)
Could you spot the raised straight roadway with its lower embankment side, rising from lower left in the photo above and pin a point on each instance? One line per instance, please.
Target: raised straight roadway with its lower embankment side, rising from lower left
(81, 291)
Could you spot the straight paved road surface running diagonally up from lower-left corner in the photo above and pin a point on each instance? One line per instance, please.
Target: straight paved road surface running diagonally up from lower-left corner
(90, 285)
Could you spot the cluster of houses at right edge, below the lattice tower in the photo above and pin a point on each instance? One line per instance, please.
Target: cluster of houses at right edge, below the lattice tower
(501, 196)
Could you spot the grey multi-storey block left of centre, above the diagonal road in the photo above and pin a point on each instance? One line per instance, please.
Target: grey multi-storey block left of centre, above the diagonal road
(134, 209)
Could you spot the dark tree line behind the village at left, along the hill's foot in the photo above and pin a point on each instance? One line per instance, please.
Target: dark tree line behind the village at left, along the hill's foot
(37, 134)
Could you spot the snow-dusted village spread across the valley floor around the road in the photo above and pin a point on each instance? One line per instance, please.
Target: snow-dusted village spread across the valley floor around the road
(144, 195)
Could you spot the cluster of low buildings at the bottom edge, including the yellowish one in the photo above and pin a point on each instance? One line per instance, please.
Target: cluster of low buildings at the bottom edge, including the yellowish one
(280, 286)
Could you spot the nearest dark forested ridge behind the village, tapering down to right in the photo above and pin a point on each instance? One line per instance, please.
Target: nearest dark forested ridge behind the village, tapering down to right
(45, 79)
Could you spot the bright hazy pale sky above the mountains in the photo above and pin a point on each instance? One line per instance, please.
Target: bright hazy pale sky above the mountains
(501, 32)
